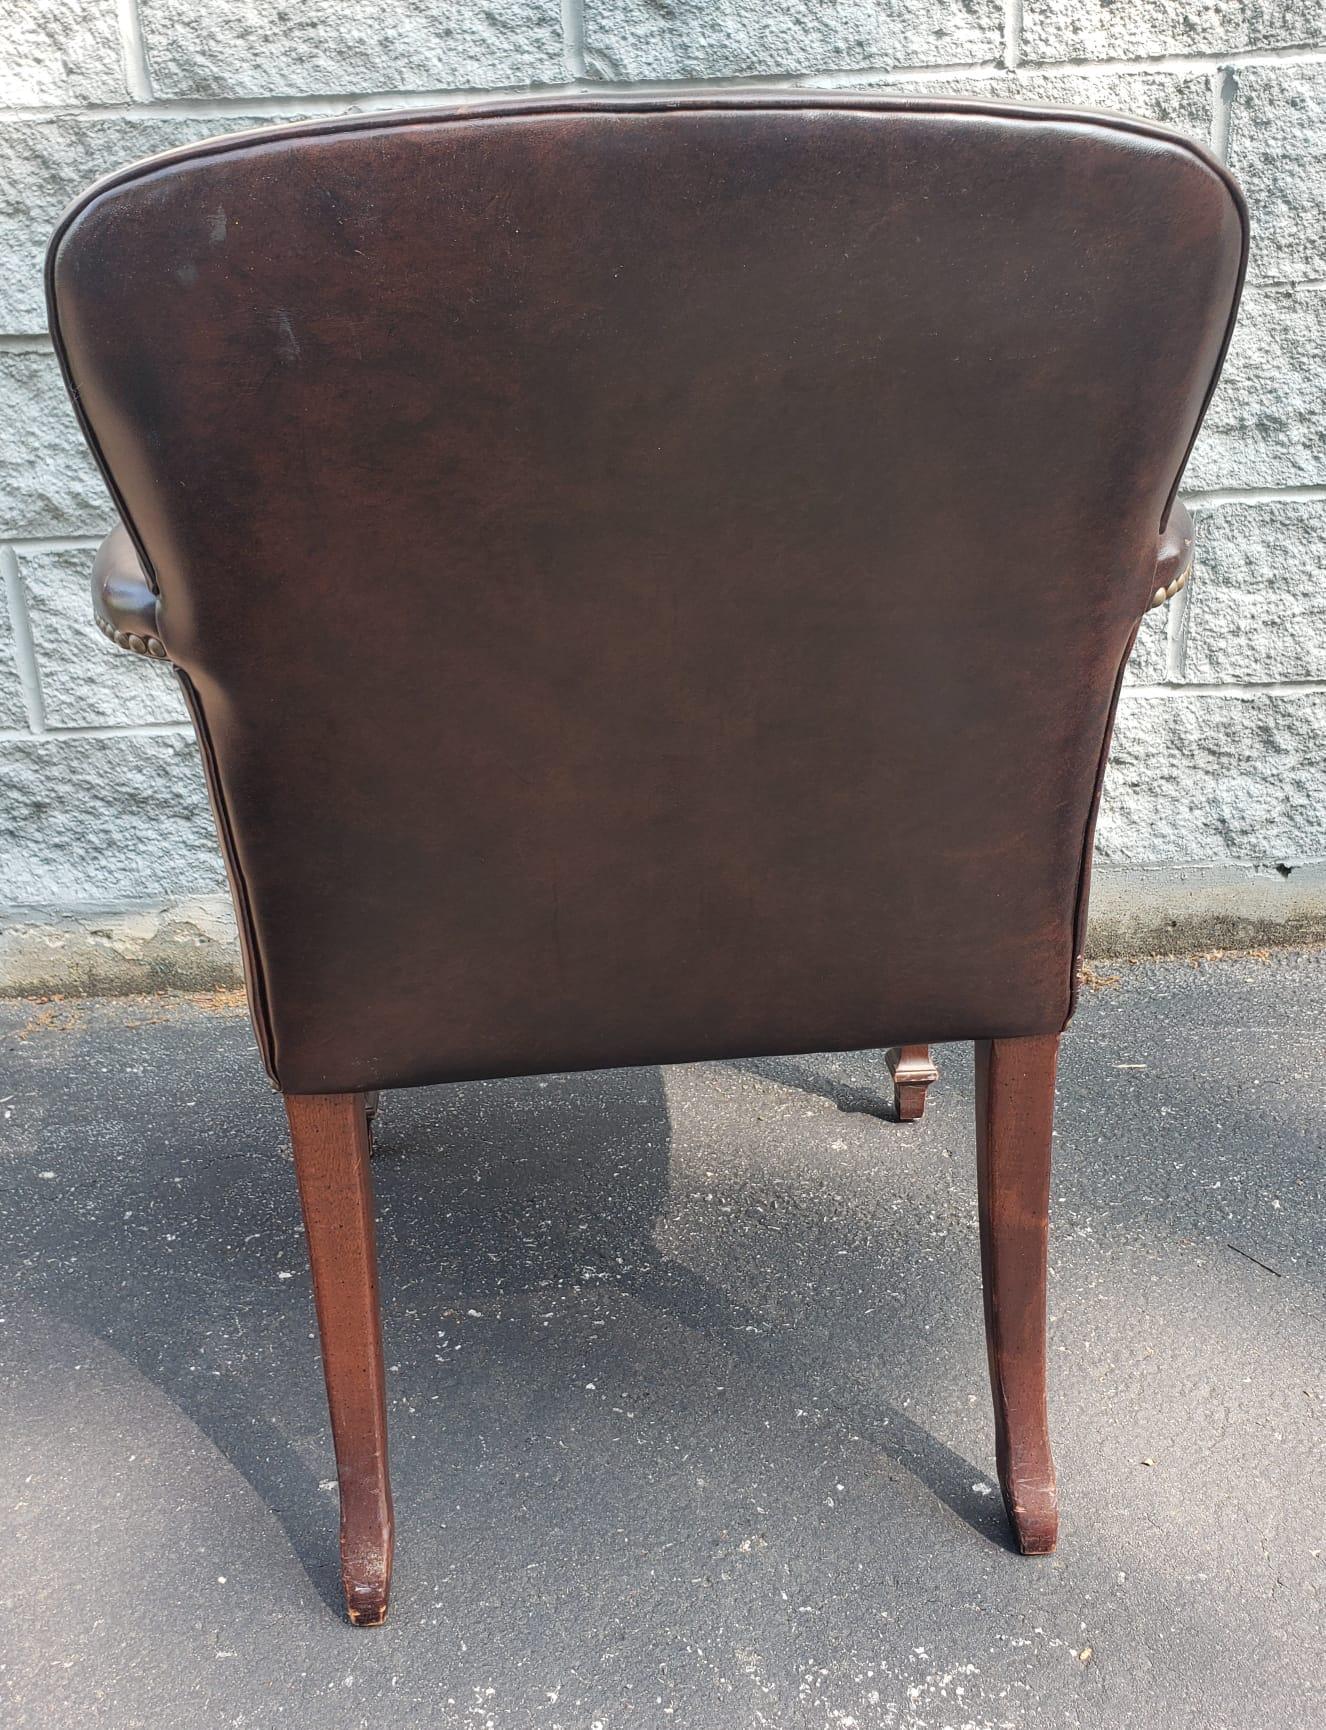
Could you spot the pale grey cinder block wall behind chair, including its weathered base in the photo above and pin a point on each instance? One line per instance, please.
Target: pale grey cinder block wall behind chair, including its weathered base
(1216, 807)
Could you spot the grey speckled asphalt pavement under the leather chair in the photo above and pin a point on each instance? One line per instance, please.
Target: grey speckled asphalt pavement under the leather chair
(688, 1392)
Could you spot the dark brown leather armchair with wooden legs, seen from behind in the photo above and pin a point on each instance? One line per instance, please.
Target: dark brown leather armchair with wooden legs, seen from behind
(652, 580)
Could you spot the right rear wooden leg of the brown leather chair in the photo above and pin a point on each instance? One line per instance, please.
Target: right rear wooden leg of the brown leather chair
(1015, 1118)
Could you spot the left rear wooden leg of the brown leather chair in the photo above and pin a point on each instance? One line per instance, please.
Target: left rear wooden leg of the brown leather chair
(331, 1160)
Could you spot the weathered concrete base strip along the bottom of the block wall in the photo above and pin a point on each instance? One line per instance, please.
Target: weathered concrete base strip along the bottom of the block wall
(190, 945)
